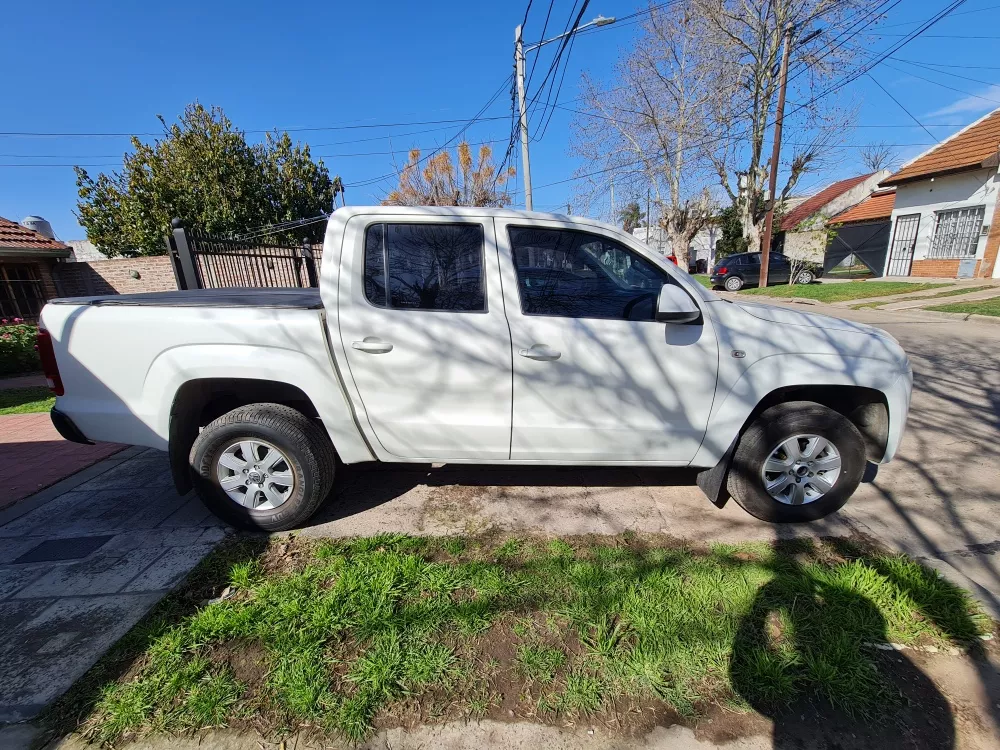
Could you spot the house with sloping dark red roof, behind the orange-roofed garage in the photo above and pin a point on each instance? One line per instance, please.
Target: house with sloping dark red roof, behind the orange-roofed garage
(802, 232)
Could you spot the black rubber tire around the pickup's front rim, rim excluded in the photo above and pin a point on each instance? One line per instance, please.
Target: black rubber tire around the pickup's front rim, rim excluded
(772, 427)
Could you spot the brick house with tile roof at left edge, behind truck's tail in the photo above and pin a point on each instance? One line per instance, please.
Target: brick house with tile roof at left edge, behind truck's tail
(26, 262)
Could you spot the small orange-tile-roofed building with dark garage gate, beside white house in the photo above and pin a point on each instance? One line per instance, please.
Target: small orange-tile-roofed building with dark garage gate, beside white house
(858, 238)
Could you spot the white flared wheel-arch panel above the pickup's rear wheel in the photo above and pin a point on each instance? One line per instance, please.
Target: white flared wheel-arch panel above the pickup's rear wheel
(179, 365)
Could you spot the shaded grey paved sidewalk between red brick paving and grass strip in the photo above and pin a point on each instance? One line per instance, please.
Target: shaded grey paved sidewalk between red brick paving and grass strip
(81, 563)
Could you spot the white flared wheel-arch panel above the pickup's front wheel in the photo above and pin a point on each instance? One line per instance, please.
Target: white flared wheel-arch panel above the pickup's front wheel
(772, 373)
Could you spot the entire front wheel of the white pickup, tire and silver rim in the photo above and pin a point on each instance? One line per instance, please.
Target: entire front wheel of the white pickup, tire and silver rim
(798, 461)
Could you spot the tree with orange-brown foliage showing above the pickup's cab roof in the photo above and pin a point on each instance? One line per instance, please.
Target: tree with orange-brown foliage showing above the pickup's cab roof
(436, 182)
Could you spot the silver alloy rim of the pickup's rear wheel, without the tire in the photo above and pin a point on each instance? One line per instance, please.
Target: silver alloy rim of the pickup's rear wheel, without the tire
(255, 474)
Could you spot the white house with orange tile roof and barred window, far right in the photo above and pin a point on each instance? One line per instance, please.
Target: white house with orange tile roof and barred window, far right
(945, 220)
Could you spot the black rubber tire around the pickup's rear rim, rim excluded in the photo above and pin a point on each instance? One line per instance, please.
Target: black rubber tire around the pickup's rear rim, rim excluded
(311, 459)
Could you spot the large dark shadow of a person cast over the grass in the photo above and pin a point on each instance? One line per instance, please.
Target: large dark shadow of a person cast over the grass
(811, 635)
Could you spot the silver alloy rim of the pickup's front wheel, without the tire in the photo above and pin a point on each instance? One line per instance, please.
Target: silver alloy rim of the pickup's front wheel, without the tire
(801, 469)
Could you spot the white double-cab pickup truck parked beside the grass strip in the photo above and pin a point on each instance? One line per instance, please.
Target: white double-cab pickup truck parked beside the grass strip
(482, 336)
